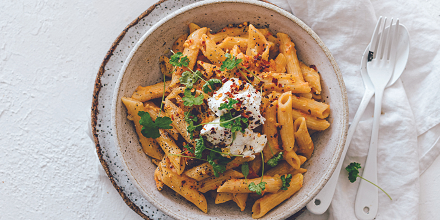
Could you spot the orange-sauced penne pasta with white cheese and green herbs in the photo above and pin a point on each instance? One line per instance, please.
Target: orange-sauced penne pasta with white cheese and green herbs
(232, 118)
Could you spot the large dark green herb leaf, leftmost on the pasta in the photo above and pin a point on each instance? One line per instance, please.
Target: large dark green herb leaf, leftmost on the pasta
(150, 128)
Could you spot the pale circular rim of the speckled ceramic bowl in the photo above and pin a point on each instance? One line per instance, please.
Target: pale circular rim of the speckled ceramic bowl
(310, 32)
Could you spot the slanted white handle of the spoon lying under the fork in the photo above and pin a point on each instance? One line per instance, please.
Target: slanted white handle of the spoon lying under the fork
(322, 201)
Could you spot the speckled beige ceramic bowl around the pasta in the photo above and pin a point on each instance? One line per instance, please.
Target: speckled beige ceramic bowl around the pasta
(142, 68)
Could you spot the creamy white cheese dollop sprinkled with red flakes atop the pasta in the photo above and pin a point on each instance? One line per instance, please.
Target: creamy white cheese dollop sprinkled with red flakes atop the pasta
(244, 144)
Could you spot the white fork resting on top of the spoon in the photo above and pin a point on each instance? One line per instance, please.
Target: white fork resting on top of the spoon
(380, 69)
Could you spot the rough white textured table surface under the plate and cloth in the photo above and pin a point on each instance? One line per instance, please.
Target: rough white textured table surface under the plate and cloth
(50, 52)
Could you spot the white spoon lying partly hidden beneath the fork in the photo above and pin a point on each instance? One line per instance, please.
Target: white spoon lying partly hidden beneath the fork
(322, 201)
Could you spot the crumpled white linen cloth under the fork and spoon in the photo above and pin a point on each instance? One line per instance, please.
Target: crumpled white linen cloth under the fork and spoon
(409, 126)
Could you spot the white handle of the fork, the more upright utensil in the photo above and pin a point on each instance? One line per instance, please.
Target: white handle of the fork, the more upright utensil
(367, 199)
